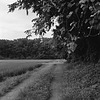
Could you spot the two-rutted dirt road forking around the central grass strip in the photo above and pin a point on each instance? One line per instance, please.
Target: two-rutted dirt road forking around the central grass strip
(54, 68)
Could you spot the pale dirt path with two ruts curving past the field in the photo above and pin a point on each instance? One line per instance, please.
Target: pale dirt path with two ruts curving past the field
(54, 86)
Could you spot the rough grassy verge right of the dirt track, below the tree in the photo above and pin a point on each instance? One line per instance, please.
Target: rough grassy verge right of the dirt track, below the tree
(81, 82)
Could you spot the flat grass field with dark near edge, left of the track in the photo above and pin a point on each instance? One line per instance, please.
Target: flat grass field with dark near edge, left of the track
(11, 68)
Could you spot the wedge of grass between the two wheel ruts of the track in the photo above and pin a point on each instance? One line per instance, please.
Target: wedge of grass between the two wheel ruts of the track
(38, 89)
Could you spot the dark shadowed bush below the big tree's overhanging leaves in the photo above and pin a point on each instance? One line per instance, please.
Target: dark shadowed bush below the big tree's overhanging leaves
(87, 50)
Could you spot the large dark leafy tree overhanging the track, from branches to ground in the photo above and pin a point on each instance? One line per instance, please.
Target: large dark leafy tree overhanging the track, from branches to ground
(79, 20)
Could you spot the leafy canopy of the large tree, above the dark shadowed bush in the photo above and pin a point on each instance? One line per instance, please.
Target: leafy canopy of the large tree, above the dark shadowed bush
(75, 17)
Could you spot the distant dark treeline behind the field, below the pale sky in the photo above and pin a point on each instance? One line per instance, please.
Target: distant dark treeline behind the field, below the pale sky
(29, 49)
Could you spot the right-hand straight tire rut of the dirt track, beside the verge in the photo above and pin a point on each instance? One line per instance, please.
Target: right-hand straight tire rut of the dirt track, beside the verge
(56, 85)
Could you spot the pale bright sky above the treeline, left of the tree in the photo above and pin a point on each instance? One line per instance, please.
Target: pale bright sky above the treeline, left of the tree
(13, 25)
